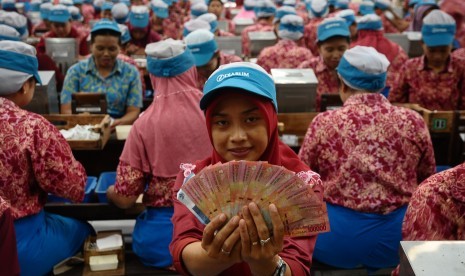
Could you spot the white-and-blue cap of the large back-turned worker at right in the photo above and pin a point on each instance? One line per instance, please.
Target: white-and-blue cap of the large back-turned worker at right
(363, 68)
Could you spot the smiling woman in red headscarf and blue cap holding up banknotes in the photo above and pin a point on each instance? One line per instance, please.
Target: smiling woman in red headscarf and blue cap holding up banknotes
(241, 116)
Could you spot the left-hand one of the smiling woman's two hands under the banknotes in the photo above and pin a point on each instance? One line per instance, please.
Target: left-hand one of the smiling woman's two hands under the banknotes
(220, 239)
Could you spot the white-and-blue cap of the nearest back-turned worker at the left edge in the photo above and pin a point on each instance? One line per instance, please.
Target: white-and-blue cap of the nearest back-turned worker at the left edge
(18, 62)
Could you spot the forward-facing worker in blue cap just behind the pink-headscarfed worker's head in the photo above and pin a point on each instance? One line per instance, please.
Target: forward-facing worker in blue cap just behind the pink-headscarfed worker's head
(140, 31)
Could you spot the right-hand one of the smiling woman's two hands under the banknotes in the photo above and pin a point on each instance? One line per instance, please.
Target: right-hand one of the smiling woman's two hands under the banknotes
(259, 248)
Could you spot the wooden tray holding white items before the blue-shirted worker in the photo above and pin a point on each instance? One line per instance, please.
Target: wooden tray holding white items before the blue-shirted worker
(101, 122)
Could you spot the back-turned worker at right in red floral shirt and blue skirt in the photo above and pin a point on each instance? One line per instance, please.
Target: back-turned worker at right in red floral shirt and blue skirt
(370, 162)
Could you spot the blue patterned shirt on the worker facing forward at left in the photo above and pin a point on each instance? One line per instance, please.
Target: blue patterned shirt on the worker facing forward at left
(122, 87)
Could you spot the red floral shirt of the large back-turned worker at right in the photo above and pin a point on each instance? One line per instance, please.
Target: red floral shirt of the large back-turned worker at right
(370, 154)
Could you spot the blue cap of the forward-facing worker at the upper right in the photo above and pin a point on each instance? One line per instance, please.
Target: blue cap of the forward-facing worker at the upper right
(438, 29)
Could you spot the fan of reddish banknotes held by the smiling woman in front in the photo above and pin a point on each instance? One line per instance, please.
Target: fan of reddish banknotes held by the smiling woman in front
(227, 187)
